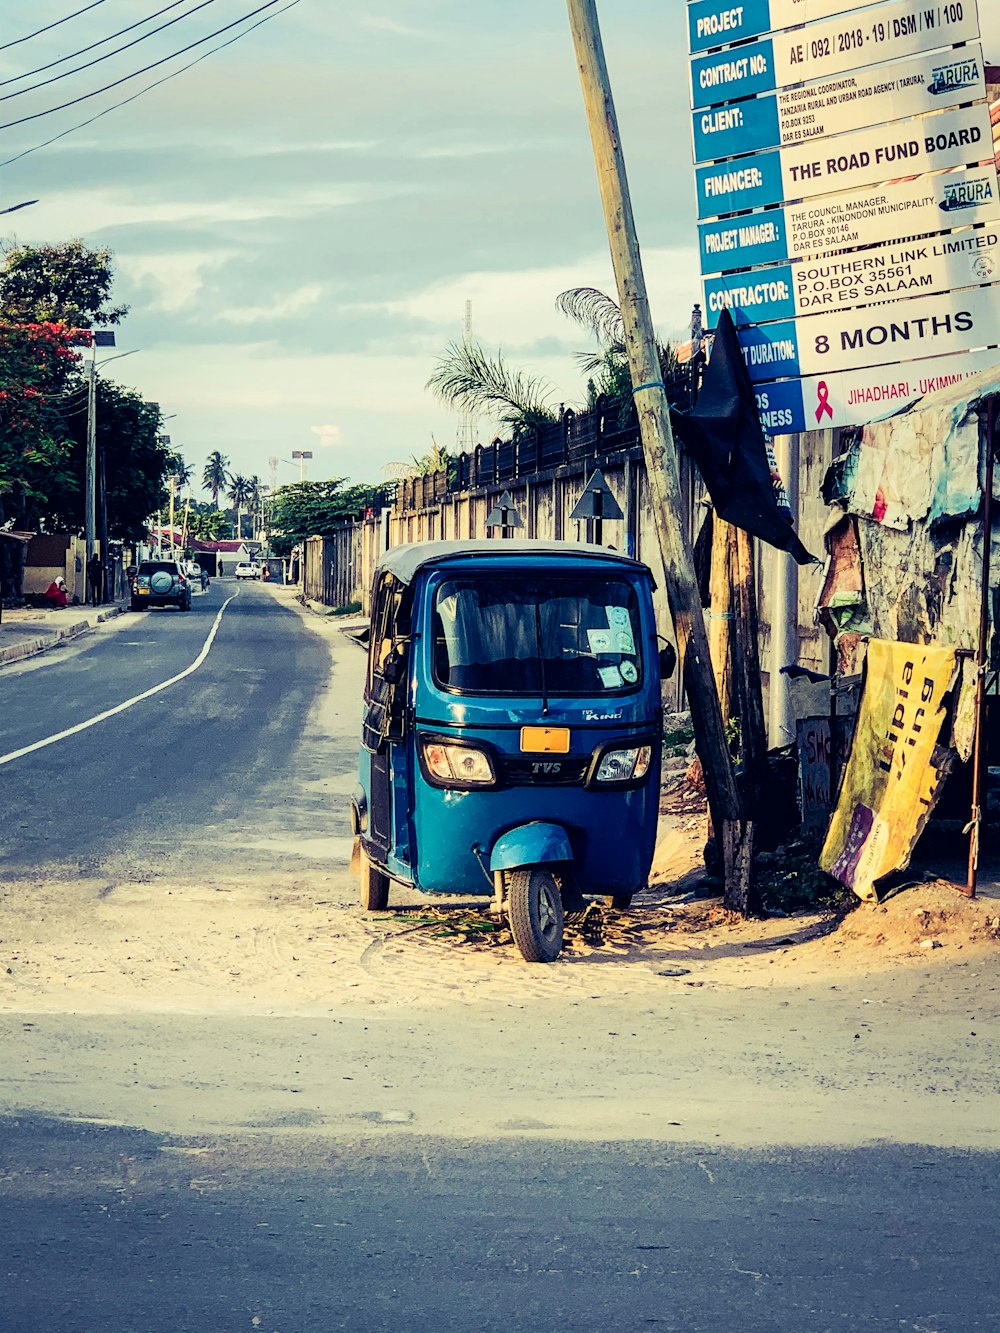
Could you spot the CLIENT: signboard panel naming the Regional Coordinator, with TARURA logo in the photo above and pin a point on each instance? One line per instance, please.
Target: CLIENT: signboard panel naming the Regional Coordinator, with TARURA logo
(842, 105)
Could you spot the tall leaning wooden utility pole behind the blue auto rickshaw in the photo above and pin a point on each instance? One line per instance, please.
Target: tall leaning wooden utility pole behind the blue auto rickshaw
(658, 439)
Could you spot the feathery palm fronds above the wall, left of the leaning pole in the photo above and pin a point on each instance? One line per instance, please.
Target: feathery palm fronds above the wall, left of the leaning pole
(470, 379)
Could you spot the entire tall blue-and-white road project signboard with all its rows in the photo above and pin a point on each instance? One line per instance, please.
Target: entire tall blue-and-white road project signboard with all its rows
(825, 131)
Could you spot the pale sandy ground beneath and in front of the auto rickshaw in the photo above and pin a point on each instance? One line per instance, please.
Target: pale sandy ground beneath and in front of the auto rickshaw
(674, 1020)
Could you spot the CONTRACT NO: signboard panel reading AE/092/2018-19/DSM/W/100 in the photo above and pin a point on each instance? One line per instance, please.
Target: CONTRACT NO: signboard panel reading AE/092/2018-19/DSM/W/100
(889, 31)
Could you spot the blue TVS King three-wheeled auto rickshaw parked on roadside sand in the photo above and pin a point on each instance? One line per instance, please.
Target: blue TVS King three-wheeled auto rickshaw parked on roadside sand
(511, 730)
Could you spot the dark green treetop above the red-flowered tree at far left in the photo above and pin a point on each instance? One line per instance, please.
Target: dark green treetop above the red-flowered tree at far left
(62, 285)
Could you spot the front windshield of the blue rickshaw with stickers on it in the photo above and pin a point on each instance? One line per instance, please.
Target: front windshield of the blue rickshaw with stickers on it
(502, 635)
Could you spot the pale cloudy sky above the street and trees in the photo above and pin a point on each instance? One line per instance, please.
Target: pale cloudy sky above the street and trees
(299, 221)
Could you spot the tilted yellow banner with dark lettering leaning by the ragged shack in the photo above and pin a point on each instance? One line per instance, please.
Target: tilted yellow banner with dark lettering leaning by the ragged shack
(890, 784)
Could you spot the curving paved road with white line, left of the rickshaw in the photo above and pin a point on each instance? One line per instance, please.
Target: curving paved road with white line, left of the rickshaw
(178, 775)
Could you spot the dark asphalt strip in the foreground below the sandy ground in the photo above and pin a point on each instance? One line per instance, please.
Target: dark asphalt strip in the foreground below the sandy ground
(123, 1232)
